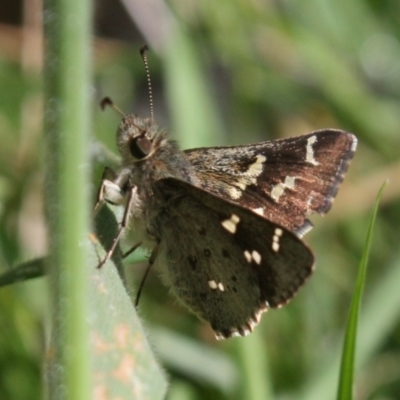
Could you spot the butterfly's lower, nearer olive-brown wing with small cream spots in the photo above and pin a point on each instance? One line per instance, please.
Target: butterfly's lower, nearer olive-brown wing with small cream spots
(224, 262)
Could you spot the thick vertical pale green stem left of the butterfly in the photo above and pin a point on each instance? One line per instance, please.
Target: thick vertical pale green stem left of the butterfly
(67, 124)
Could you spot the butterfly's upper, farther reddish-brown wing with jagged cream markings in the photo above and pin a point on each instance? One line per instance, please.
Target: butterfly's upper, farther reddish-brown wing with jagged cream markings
(284, 180)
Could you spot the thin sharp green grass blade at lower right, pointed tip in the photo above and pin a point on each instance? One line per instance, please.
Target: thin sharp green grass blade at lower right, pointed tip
(346, 379)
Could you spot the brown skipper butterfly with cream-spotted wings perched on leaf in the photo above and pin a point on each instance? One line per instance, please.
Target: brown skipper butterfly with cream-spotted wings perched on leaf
(223, 225)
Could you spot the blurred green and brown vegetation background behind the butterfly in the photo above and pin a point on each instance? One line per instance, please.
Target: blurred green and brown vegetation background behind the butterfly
(224, 73)
